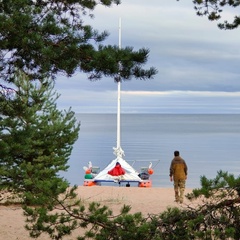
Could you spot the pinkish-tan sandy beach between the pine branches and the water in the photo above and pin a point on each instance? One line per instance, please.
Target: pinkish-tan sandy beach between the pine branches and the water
(145, 200)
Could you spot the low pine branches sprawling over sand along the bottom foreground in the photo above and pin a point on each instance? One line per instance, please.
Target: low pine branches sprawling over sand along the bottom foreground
(215, 217)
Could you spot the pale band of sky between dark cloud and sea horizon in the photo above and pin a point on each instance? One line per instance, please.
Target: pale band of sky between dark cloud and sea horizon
(154, 102)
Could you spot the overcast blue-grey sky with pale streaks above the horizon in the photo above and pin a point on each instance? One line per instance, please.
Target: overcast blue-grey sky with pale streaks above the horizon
(198, 64)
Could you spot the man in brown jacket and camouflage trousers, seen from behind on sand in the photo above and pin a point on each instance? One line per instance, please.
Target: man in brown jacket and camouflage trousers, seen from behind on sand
(178, 174)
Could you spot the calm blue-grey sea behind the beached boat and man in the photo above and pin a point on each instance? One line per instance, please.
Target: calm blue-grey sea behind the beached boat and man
(208, 143)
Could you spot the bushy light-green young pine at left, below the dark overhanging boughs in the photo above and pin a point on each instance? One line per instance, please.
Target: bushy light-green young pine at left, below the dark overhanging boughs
(36, 141)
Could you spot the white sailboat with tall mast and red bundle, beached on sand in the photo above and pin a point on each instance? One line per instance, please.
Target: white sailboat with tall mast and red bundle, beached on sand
(118, 170)
